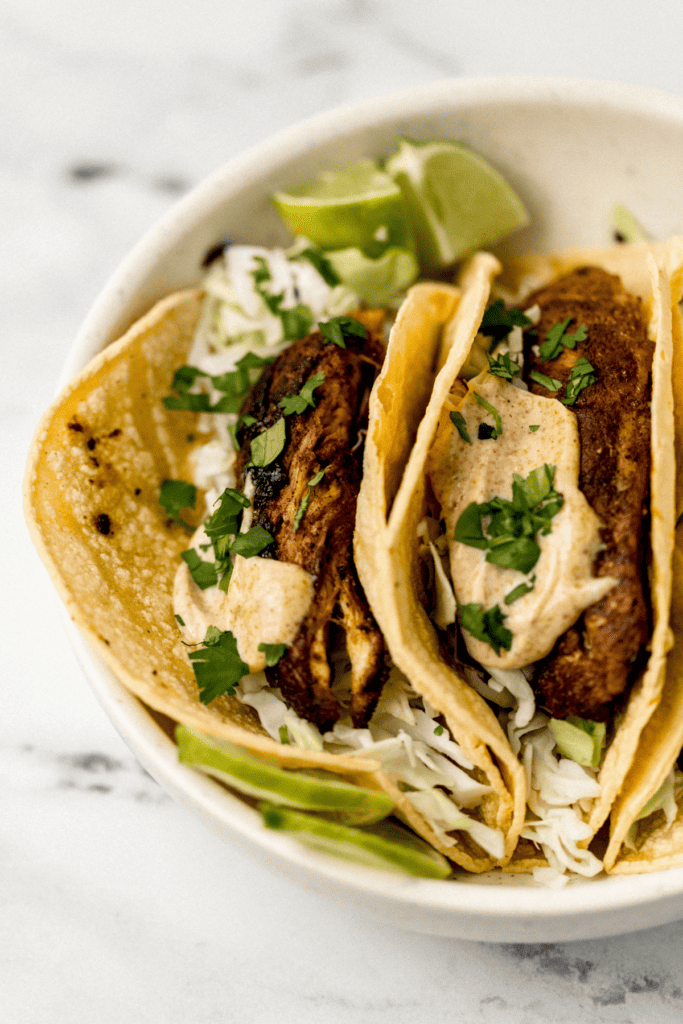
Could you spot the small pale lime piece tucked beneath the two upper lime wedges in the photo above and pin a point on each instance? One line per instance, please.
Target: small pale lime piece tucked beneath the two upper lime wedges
(375, 281)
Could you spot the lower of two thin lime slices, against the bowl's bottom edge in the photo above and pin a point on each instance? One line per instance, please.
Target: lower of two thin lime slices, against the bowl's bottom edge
(386, 846)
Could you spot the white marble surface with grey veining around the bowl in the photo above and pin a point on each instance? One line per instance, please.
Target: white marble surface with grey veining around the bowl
(114, 905)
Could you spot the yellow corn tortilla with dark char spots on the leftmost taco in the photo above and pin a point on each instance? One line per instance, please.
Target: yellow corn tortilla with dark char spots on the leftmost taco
(94, 478)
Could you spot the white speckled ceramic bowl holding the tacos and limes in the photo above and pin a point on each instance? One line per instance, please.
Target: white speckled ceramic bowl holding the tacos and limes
(572, 150)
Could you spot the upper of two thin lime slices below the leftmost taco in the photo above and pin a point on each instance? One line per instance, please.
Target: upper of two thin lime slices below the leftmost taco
(254, 778)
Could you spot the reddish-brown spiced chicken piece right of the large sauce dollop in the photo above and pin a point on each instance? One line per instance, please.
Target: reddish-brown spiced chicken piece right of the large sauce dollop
(597, 659)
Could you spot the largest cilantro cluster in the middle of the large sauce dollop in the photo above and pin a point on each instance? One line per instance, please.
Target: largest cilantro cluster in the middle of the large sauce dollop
(510, 534)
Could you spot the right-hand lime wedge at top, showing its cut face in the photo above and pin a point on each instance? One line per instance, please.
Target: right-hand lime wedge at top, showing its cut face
(456, 200)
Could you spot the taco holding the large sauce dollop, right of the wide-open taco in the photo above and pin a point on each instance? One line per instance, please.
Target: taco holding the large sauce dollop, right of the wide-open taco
(510, 514)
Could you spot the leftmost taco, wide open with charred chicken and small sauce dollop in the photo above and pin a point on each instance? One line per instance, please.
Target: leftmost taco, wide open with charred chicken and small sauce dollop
(116, 442)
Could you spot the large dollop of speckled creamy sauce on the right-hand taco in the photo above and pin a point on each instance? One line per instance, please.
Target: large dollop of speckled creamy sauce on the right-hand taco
(463, 473)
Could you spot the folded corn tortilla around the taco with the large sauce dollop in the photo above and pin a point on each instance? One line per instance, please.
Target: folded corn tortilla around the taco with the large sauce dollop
(391, 511)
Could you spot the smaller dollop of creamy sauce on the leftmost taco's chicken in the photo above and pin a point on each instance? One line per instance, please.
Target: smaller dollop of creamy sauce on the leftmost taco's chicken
(266, 604)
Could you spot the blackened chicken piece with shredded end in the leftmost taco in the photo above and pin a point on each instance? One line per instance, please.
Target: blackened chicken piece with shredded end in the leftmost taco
(307, 499)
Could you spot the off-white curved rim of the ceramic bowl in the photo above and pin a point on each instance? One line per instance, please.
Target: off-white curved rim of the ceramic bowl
(103, 323)
